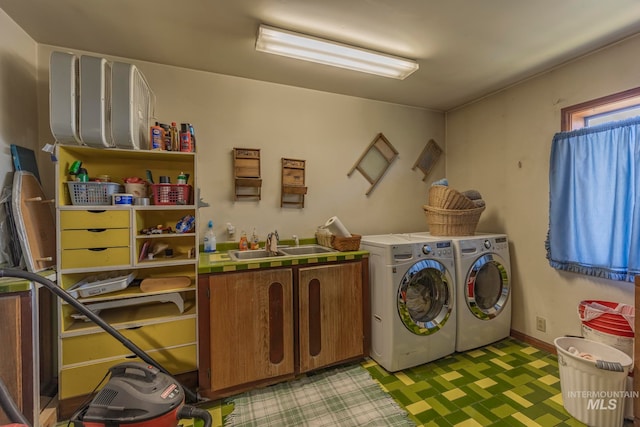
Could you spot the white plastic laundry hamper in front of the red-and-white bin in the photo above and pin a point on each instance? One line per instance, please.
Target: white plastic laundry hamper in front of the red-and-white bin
(591, 394)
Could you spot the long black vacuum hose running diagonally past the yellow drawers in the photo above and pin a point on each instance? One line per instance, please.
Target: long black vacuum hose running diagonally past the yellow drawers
(61, 293)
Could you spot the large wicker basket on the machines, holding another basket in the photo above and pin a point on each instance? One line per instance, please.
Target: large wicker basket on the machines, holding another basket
(452, 222)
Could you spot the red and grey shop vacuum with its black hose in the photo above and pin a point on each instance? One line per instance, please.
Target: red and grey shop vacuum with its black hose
(138, 394)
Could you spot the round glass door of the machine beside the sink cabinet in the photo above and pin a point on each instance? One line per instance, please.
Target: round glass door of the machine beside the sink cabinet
(425, 297)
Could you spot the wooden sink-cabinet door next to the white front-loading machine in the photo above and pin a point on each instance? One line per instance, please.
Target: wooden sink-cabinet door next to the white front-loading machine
(331, 314)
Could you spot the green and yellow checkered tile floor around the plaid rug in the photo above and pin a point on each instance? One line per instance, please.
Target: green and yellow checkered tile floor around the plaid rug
(508, 383)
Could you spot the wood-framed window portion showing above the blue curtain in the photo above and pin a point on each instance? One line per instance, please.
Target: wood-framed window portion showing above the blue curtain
(618, 106)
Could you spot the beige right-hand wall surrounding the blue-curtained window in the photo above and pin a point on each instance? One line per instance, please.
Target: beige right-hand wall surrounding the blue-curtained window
(500, 146)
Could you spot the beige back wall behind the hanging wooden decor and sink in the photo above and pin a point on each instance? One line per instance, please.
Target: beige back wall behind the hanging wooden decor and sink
(329, 131)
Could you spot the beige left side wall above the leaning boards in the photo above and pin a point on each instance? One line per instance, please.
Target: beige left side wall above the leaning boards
(18, 114)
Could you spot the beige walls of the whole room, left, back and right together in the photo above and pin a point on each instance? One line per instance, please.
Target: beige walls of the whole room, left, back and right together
(499, 146)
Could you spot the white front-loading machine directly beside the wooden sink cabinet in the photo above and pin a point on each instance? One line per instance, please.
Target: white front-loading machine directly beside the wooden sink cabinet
(412, 284)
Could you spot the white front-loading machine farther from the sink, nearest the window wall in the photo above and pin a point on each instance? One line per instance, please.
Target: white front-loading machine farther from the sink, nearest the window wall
(483, 293)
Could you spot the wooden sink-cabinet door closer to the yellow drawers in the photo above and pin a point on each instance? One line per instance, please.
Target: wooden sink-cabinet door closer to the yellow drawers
(251, 327)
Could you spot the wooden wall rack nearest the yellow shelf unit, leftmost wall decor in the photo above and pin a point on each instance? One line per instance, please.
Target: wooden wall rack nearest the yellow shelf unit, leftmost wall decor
(246, 170)
